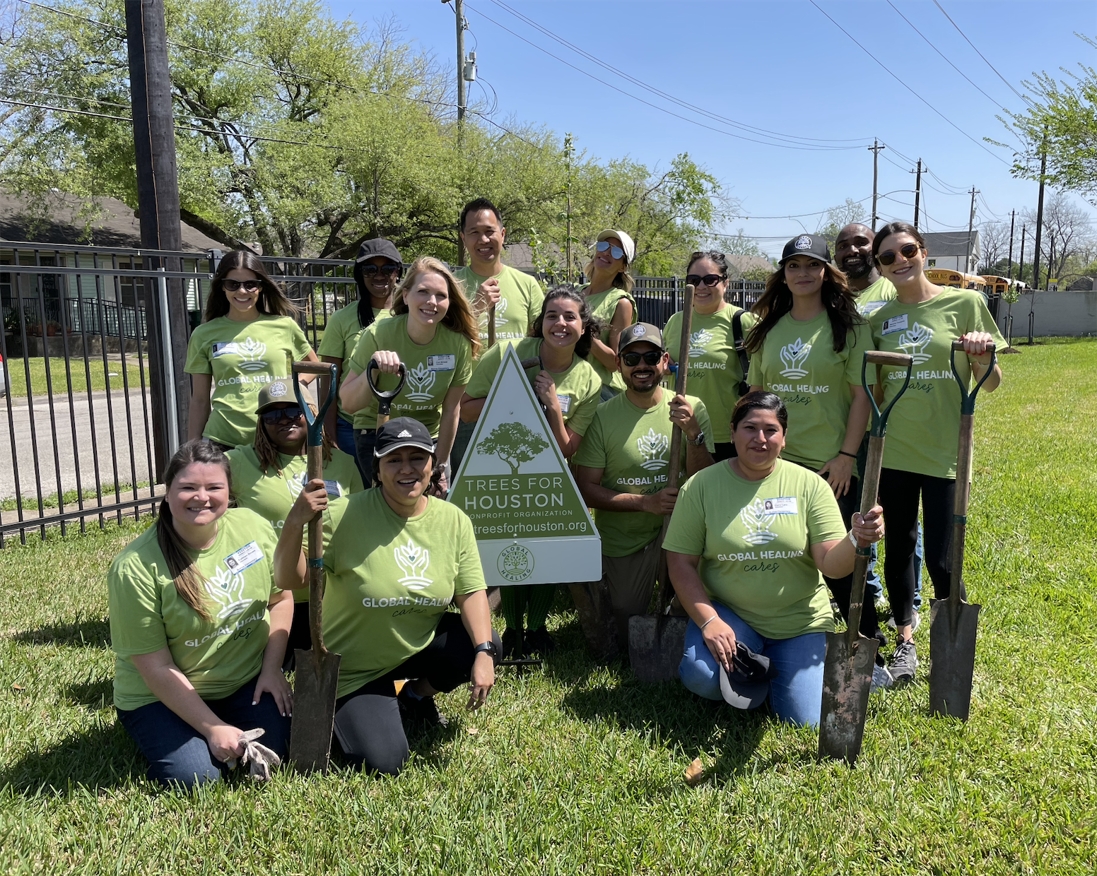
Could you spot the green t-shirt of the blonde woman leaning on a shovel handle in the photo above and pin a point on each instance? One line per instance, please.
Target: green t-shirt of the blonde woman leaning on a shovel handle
(433, 369)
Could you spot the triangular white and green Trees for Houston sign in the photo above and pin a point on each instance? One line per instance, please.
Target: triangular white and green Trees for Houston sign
(533, 527)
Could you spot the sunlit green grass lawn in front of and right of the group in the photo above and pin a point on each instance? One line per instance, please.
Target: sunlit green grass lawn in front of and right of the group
(579, 768)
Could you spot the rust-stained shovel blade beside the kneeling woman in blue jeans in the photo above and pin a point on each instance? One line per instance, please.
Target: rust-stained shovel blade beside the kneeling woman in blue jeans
(847, 678)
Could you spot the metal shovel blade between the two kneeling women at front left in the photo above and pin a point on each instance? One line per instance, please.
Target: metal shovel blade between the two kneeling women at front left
(314, 710)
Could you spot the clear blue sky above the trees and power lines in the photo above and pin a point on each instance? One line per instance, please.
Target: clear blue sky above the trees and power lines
(781, 66)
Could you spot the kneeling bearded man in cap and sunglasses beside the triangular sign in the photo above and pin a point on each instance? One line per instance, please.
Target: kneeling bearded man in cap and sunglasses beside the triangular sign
(624, 474)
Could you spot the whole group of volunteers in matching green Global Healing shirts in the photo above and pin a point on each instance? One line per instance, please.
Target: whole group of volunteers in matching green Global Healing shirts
(763, 532)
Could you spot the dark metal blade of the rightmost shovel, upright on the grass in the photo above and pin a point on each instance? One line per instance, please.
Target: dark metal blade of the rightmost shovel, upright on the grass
(953, 649)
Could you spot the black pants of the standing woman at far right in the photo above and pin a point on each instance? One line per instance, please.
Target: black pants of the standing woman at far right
(900, 493)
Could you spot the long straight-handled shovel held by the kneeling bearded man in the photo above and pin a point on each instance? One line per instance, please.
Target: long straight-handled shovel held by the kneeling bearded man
(657, 644)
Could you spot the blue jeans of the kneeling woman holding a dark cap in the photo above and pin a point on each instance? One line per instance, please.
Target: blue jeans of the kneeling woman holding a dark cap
(796, 696)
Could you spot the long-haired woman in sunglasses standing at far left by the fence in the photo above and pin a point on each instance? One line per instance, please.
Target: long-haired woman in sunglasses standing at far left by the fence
(248, 338)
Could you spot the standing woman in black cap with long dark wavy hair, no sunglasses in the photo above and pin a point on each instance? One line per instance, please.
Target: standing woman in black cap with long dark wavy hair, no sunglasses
(808, 347)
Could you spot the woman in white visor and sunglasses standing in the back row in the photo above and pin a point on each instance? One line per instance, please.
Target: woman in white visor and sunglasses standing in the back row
(609, 294)
